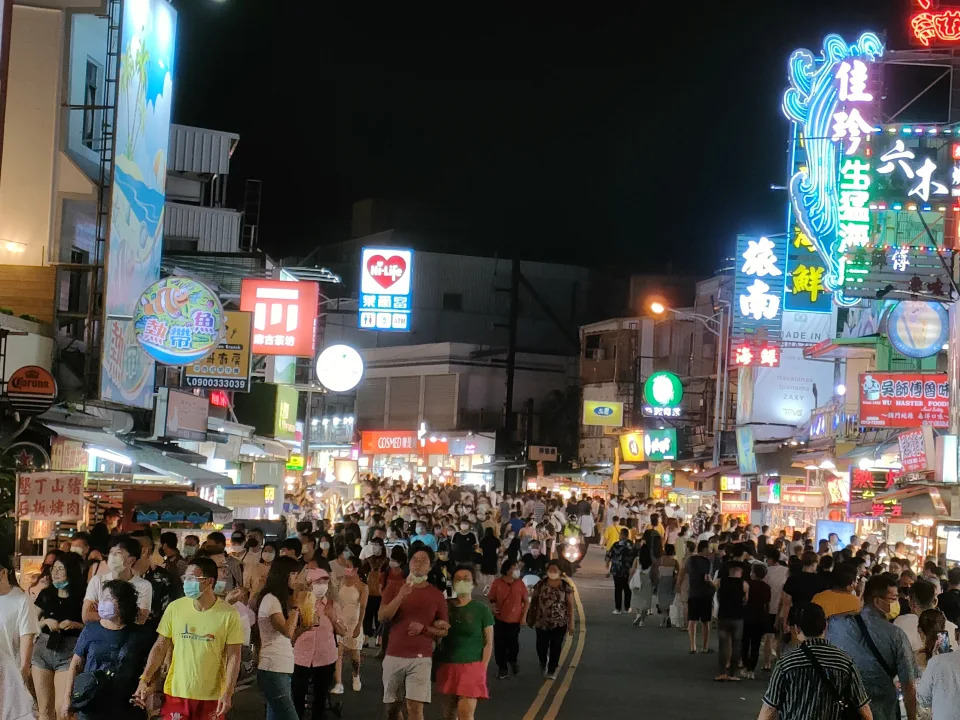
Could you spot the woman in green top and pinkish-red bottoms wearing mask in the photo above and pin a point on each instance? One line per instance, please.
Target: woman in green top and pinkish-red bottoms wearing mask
(465, 652)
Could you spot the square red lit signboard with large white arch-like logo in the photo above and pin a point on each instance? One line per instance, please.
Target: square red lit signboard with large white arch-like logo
(284, 315)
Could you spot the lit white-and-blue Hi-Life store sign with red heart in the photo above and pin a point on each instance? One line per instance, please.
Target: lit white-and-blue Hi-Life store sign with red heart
(385, 281)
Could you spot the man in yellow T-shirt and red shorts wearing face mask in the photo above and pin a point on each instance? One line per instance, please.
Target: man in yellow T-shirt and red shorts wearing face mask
(206, 636)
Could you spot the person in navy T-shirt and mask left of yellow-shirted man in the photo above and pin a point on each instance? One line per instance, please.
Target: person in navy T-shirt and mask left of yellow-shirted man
(116, 644)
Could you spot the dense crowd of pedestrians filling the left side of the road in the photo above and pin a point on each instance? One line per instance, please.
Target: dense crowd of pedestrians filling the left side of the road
(435, 581)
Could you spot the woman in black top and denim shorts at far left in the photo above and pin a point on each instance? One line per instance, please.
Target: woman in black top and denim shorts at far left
(60, 611)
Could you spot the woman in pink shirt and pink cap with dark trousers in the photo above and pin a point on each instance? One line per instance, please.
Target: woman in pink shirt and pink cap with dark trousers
(315, 649)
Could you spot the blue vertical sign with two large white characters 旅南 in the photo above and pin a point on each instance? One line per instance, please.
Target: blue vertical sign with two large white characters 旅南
(758, 290)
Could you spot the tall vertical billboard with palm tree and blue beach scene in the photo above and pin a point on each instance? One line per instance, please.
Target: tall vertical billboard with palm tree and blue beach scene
(138, 192)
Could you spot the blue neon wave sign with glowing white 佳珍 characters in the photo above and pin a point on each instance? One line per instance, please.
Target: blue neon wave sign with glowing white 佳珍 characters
(831, 106)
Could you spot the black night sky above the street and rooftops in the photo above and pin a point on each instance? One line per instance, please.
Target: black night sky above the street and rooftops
(617, 136)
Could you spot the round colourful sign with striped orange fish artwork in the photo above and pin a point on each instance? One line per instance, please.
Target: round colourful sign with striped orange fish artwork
(178, 320)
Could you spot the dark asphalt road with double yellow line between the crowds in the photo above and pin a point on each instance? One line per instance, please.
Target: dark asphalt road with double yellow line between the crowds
(608, 666)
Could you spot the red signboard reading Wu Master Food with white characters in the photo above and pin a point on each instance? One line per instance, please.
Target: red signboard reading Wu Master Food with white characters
(892, 399)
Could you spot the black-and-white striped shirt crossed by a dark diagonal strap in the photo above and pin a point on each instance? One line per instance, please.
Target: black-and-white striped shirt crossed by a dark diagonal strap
(797, 692)
